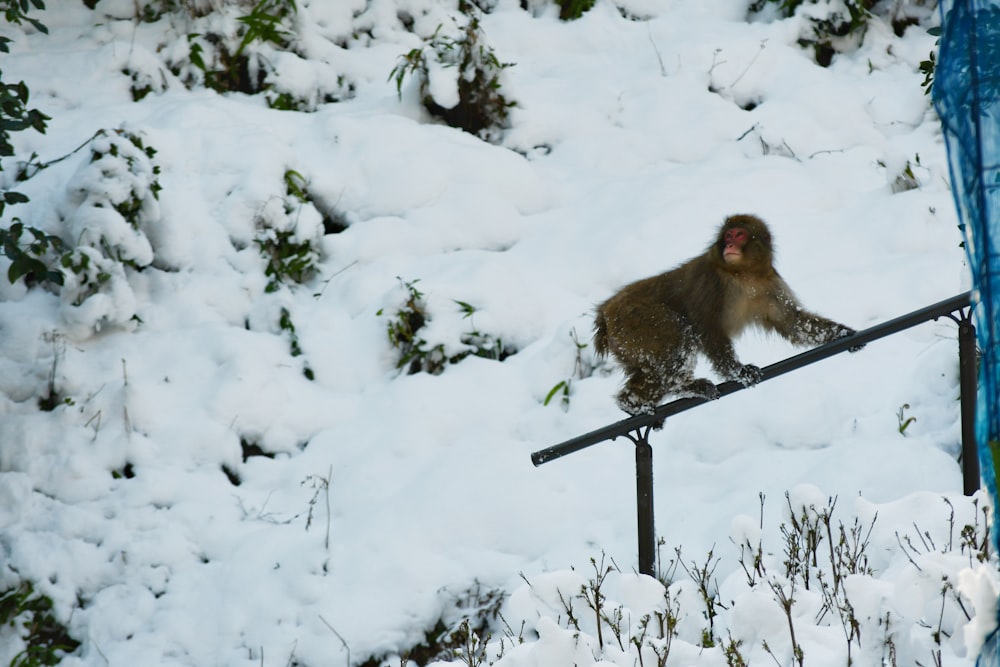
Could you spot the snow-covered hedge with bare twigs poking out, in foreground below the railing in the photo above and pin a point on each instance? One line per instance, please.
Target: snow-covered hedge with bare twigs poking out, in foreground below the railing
(813, 584)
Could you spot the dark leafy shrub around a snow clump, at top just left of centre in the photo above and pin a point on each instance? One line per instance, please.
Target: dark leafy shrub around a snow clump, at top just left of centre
(459, 79)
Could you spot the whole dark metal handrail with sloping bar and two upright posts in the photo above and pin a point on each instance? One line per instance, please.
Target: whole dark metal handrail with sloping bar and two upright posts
(637, 428)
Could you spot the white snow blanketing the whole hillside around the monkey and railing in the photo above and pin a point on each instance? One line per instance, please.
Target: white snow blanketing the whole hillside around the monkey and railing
(386, 497)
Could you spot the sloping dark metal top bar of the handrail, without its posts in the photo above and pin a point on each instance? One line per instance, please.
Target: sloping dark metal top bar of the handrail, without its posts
(625, 426)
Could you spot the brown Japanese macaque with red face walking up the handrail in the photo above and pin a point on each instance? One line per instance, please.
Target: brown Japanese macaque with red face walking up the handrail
(657, 326)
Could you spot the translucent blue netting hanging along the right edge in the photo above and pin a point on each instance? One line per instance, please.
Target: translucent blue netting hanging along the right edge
(966, 94)
